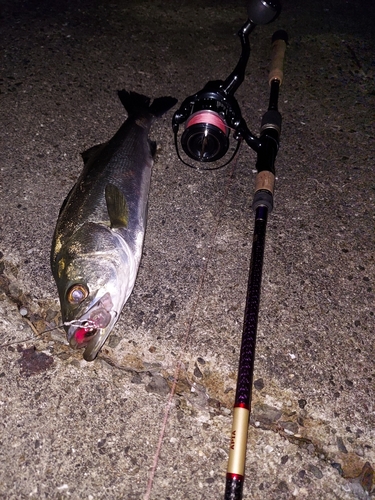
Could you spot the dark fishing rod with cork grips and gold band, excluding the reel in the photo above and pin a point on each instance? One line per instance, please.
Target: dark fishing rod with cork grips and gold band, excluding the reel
(262, 205)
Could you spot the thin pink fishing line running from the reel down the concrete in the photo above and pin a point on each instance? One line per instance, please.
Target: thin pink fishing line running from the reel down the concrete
(186, 337)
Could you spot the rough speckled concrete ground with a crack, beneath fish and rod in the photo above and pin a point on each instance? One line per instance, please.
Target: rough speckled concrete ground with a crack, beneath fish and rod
(71, 429)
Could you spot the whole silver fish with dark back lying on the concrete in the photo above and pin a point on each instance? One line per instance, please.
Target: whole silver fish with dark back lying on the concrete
(98, 239)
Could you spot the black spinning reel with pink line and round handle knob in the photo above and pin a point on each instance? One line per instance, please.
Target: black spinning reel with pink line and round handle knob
(213, 112)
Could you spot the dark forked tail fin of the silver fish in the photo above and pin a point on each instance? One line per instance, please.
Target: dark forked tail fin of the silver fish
(135, 103)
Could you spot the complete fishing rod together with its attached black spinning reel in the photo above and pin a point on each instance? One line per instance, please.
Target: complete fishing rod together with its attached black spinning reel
(209, 115)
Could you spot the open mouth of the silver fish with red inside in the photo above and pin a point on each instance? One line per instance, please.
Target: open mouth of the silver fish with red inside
(92, 329)
